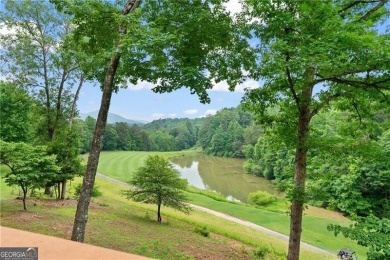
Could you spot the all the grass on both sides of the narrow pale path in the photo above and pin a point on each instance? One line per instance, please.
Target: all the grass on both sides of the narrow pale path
(124, 225)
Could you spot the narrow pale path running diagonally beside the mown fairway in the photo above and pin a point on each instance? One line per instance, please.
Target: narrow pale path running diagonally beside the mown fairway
(233, 219)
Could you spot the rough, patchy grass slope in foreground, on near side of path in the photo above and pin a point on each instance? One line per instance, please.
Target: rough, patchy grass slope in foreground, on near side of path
(121, 224)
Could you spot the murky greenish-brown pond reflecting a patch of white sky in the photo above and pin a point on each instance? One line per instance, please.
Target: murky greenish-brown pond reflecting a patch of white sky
(223, 175)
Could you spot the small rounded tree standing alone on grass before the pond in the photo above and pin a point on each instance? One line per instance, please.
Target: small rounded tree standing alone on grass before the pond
(159, 183)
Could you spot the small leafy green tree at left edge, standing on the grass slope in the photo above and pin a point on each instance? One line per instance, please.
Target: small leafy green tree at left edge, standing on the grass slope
(30, 166)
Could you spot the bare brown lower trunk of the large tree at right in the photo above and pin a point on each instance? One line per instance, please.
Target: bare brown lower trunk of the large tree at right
(299, 176)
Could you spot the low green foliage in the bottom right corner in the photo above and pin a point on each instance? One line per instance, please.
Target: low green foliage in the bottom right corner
(371, 232)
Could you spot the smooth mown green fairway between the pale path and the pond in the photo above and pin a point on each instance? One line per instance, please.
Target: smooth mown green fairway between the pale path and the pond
(120, 165)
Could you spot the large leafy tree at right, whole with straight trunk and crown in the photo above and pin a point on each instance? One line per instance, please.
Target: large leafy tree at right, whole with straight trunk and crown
(310, 54)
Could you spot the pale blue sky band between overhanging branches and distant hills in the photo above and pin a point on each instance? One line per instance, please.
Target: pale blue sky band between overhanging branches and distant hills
(140, 102)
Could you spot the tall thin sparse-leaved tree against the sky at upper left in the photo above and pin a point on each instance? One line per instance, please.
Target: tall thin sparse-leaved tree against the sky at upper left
(40, 56)
